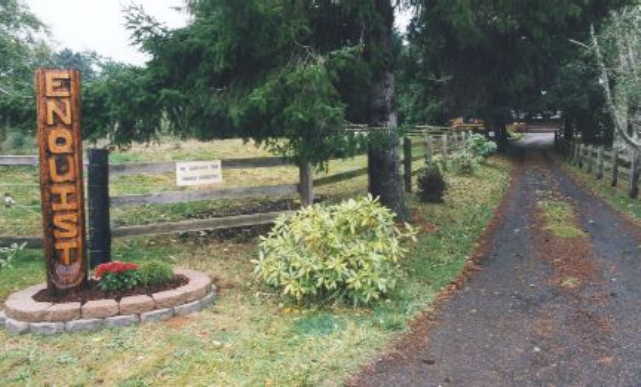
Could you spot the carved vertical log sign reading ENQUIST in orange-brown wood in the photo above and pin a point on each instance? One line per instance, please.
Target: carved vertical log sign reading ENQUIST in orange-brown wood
(61, 181)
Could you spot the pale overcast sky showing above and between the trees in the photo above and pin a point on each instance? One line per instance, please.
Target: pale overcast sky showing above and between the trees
(98, 25)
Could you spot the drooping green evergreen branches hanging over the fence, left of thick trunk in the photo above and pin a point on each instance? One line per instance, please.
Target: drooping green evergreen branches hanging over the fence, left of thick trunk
(285, 73)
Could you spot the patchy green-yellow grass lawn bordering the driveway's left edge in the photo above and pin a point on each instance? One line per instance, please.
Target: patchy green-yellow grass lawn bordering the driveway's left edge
(251, 336)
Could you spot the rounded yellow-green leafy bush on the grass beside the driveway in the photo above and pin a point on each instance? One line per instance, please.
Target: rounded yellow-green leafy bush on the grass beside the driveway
(344, 252)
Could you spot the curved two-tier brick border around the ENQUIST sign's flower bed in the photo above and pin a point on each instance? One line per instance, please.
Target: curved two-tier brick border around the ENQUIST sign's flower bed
(23, 314)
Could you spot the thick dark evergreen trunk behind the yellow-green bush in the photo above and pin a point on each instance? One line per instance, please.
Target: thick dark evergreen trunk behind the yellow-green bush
(385, 181)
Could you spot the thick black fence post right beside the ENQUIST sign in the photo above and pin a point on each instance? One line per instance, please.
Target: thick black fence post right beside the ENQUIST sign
(99, 219)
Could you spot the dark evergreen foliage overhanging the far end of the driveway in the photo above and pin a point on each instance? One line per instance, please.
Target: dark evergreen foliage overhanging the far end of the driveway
(502, 57)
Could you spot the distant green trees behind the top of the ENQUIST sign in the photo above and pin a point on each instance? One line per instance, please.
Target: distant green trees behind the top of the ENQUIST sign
(23, 48)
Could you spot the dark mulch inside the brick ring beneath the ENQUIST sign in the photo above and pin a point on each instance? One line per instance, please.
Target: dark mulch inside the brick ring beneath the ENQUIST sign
(93, 293)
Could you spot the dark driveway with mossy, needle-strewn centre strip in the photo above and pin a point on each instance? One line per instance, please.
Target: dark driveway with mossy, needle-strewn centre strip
(555, 303)
